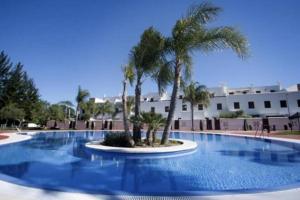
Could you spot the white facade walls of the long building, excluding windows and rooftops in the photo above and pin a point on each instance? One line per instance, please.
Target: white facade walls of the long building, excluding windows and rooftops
(228, 105)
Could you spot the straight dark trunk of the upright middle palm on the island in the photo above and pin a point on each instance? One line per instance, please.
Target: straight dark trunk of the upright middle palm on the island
(137, 136)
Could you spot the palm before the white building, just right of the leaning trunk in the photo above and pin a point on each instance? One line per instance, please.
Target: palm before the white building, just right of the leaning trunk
(196, 94)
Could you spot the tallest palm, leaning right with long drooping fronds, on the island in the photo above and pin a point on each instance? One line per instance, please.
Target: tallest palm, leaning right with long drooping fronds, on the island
(191, 34)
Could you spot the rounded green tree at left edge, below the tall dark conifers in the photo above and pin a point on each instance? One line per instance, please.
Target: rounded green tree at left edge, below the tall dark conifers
(12, 112)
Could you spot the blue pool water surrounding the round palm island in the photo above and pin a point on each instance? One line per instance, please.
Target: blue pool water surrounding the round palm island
(221, 164)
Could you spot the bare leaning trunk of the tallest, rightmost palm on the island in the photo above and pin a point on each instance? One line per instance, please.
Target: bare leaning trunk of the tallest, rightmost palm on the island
(176, 84)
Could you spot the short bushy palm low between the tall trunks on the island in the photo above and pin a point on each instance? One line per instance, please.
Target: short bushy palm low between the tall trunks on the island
(154, 121)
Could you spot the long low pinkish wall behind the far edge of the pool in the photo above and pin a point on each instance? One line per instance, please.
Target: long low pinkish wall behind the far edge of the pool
(276, 123)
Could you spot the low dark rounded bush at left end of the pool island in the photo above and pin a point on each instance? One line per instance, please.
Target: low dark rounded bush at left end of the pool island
(117, 139)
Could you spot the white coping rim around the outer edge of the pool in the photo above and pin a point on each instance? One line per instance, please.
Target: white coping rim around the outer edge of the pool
(15, 191)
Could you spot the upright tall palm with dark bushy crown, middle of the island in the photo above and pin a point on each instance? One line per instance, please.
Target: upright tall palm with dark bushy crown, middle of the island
(144, 58)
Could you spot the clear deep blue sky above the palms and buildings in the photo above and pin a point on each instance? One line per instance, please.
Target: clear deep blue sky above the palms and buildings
(66, 43)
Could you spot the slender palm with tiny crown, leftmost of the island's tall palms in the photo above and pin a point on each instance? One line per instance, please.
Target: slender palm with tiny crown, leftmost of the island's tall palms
(128, 76)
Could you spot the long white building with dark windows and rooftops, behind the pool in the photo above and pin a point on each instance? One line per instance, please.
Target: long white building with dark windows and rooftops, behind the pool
(265, 101)
